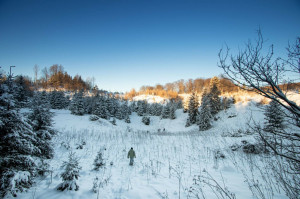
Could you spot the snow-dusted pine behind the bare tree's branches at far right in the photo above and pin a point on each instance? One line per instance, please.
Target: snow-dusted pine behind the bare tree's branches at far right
(274, 124)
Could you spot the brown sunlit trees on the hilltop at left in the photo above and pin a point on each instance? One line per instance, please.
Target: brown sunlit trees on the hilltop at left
(55, 77)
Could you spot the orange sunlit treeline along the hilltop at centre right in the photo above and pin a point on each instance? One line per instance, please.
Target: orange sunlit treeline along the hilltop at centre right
(172, 90)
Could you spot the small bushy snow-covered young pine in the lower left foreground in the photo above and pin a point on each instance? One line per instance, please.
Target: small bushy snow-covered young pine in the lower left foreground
(70, 174)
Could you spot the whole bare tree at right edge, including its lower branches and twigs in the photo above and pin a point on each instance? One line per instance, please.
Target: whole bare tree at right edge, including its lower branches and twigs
(256, 69)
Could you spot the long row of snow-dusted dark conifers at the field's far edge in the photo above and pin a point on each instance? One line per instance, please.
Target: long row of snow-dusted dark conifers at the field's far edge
(111, 107)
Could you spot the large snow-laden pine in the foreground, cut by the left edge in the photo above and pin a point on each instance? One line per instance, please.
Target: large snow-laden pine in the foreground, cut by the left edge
(18, 145)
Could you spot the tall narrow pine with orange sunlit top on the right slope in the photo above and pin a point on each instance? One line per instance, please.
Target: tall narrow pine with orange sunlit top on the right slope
(214, 94)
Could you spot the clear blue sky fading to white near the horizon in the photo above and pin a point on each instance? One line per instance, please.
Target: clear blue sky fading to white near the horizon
(125, 44)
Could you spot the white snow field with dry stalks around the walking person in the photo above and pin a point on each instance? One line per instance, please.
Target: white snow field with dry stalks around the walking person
(168, 163)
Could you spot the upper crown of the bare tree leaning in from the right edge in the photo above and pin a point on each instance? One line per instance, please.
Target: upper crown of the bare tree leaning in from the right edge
(252, 70)
